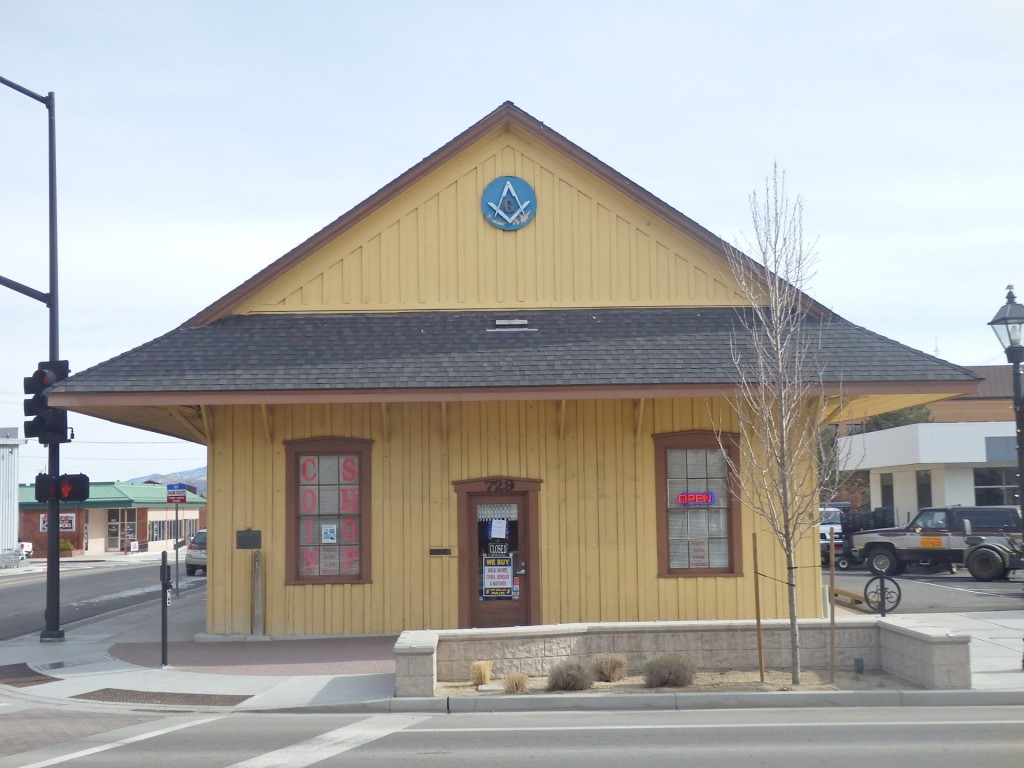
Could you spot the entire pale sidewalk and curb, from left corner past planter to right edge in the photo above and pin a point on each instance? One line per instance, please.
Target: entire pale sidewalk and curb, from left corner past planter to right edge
(118, 659)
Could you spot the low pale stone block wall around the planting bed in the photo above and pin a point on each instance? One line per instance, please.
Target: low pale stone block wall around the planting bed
(922, 657)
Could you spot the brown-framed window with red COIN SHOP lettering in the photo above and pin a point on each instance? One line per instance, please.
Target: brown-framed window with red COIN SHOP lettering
(329, 511)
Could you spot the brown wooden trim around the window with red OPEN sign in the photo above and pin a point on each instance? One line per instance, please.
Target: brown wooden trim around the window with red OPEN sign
(697, 440)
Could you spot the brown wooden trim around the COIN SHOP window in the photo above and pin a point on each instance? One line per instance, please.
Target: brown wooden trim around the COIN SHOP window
(327, 446)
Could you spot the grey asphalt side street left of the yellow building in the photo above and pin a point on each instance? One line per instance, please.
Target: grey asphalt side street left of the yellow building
(88, 589)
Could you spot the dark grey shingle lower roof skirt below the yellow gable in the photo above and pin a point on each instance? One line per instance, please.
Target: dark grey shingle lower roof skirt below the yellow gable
(445, 350)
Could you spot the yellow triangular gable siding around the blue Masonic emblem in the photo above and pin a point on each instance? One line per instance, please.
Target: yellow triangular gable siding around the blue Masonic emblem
(431, 248)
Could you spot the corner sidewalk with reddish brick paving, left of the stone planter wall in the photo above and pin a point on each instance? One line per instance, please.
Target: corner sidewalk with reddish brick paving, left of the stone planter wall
(119, 659)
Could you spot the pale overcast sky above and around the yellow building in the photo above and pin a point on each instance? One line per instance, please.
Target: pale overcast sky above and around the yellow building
(198, 142)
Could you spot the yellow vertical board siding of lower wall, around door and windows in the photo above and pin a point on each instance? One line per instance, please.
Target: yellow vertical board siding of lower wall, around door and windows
(596, 520)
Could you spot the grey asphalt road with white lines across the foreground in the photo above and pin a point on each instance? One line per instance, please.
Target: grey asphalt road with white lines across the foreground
(841, 738)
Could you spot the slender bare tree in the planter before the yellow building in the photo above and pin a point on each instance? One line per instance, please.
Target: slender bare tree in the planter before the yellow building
(787, 451)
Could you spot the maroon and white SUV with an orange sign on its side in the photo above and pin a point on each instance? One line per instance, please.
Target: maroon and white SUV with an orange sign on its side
(935, 536)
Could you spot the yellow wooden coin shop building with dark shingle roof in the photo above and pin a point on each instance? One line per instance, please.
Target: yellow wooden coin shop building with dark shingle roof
(484, 397)
